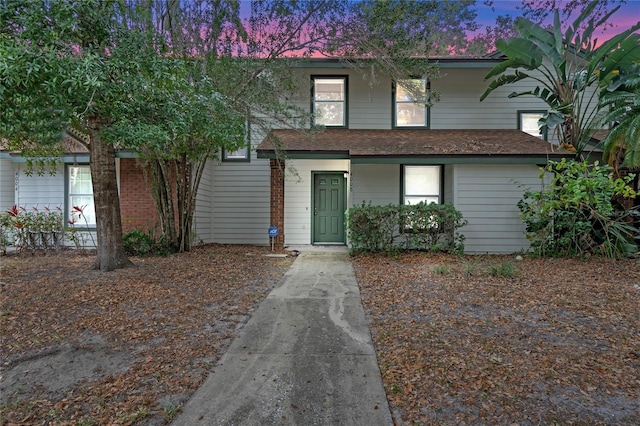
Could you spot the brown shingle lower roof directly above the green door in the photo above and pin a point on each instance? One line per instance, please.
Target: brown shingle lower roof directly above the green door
(407, 143)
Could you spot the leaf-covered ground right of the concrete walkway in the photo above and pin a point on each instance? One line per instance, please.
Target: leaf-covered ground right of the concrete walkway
(494, 340)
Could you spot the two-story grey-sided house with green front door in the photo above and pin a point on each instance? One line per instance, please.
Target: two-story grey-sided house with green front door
(377, 146)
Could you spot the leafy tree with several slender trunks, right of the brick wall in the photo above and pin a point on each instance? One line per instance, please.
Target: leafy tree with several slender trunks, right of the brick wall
(177, 121)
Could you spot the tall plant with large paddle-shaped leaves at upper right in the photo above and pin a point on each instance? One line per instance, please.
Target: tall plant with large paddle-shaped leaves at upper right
(568, 67)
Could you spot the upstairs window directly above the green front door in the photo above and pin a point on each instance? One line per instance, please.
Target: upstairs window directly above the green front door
(329, 101)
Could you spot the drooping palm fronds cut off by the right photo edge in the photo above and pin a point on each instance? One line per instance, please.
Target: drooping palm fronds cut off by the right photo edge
(621, 97)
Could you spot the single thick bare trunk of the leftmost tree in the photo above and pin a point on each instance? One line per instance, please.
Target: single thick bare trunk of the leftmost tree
(111, 253)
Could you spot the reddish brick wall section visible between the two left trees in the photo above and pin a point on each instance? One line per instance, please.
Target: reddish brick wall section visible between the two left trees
(137, 207)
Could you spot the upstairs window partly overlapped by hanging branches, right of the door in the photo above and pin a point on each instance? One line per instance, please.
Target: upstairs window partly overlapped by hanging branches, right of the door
(409, 103)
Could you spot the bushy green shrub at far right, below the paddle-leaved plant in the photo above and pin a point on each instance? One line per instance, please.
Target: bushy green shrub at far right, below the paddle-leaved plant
(575, 215)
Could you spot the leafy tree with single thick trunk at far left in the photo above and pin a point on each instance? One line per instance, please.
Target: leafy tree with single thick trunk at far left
(56, 70)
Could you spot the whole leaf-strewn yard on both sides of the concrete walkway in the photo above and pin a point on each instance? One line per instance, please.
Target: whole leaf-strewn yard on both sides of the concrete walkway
(460, 340)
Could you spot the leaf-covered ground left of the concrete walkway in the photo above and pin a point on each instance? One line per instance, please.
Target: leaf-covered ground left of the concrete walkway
(84, 347)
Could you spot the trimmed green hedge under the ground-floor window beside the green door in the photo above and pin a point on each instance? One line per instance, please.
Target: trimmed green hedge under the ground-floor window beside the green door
(390, 228)
